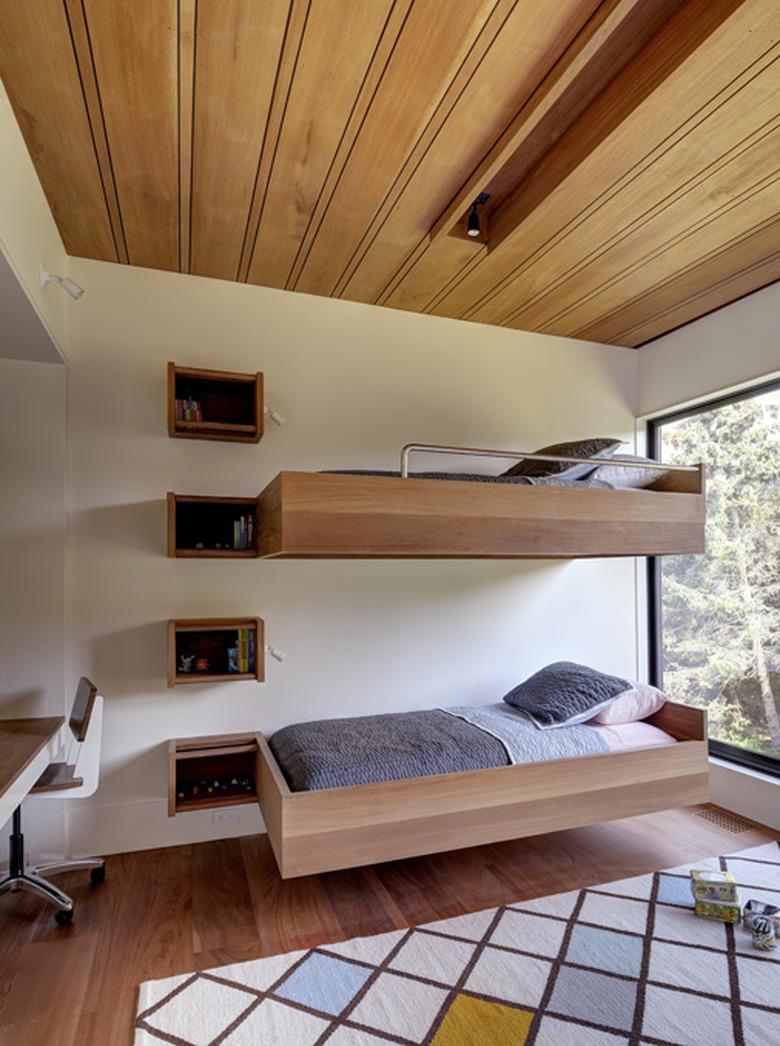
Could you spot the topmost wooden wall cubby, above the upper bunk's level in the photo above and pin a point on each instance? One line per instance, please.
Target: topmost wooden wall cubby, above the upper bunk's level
(215, 405)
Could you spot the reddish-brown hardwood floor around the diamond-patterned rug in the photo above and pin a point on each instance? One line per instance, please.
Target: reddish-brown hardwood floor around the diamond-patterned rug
(168, 912)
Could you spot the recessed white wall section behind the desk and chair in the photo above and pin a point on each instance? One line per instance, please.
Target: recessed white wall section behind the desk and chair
(33, 528)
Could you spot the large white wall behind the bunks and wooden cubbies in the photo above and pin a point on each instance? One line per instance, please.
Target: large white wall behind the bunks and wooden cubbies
(355, 383)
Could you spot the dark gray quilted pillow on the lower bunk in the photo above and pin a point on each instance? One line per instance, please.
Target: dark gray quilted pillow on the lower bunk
(564, 694)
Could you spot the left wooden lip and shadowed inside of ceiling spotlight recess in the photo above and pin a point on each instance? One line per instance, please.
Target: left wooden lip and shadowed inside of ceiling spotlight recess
(609, 41)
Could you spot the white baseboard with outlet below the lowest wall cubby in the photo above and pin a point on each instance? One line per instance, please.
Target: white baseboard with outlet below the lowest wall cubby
(147, 826)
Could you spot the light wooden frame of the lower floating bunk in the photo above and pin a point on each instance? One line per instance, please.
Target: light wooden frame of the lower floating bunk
(345, 828)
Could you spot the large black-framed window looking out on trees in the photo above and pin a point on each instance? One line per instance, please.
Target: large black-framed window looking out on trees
(716, 619)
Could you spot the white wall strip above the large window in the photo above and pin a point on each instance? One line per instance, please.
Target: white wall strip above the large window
(736, 345)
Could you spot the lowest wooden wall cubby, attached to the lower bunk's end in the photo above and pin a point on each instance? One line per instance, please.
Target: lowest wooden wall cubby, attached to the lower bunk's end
(210, 772)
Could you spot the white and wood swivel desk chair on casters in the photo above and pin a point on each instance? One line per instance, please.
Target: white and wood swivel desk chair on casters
(76, 777)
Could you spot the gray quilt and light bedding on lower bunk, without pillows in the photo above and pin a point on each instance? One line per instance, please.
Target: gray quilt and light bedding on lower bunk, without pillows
(361, 751)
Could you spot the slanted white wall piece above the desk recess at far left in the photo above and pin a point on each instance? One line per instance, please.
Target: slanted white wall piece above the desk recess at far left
(29, 236)
